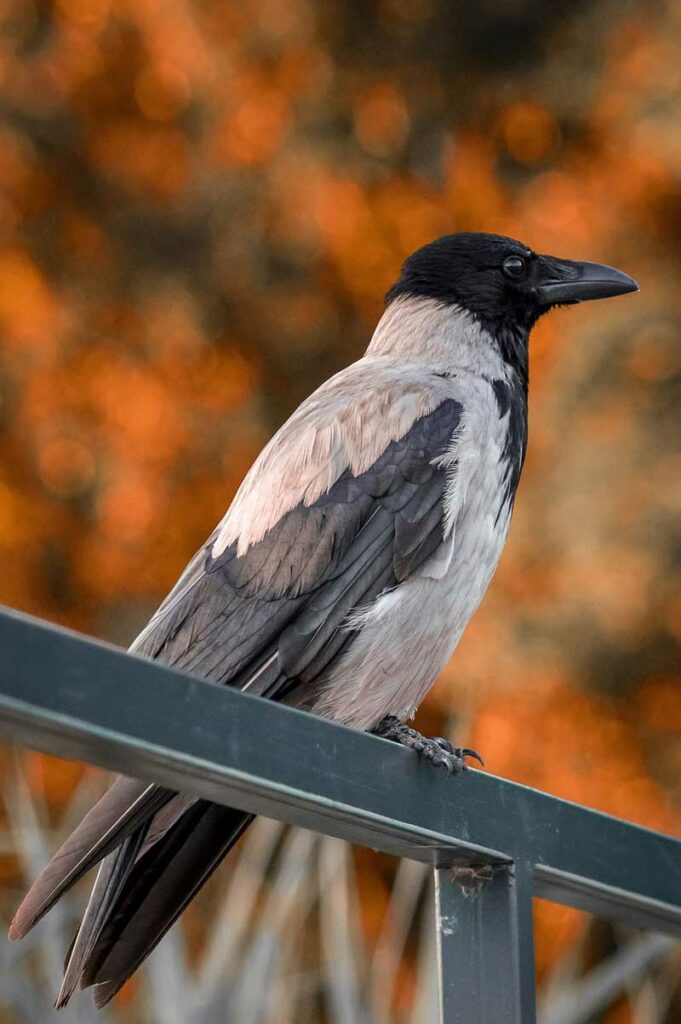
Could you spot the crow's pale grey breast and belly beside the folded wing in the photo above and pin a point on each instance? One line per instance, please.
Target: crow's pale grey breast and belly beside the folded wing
(406, 637)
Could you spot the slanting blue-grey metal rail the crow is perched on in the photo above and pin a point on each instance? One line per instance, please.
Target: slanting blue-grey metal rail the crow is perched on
(79, 699)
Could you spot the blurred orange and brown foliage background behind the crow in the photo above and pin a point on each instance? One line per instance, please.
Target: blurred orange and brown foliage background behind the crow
(202, 203)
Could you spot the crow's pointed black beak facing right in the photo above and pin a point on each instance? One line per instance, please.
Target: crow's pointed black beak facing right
(565, 281)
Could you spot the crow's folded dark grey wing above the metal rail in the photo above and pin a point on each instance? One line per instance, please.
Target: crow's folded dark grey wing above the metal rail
(275, 616)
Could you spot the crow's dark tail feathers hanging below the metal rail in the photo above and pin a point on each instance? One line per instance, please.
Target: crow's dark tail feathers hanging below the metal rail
(153, 865)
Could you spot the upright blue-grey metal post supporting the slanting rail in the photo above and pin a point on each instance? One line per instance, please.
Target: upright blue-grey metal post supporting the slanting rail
(486, 946)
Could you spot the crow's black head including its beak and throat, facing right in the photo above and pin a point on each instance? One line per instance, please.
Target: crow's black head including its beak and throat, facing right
(503, 284)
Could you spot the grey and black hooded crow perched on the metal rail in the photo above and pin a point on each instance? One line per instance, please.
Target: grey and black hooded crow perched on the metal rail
(344, 574)
